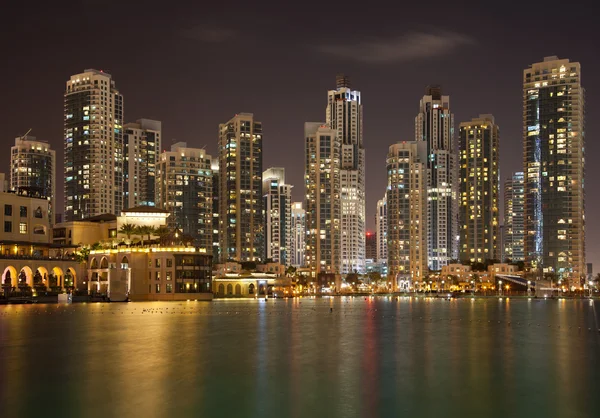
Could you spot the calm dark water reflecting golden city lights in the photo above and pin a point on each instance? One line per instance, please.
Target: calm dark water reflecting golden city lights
(294, 358)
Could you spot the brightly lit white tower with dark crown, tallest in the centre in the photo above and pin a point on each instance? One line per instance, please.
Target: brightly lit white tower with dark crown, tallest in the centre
(344, 116)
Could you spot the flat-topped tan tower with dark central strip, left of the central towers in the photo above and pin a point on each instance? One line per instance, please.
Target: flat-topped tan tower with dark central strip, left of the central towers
(241, 225)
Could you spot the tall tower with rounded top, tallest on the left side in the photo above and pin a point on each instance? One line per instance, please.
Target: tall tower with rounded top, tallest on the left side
(93, 119)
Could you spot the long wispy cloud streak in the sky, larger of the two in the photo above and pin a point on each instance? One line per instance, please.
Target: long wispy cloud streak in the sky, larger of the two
(410, 46)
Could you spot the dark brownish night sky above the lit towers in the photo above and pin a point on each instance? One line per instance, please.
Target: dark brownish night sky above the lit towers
(193, 67)
